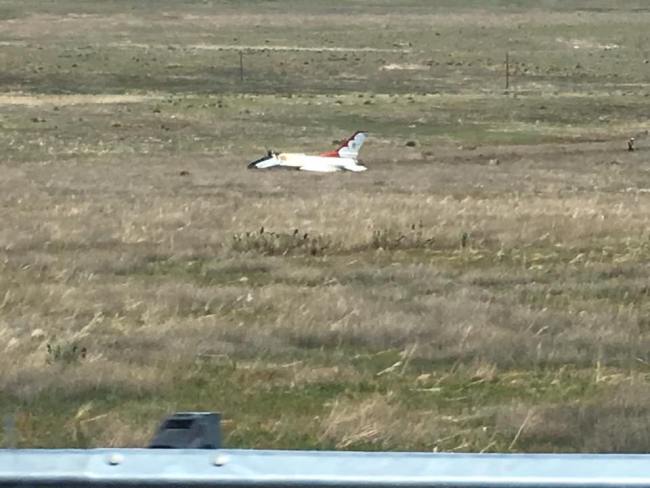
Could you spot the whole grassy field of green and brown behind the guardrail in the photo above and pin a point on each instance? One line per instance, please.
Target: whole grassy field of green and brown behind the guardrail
(484, 287)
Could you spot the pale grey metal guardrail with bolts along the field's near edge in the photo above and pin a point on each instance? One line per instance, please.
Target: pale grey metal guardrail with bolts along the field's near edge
(302, 469)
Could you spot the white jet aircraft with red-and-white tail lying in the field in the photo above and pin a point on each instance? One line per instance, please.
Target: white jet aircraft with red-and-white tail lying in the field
(345, 158)
